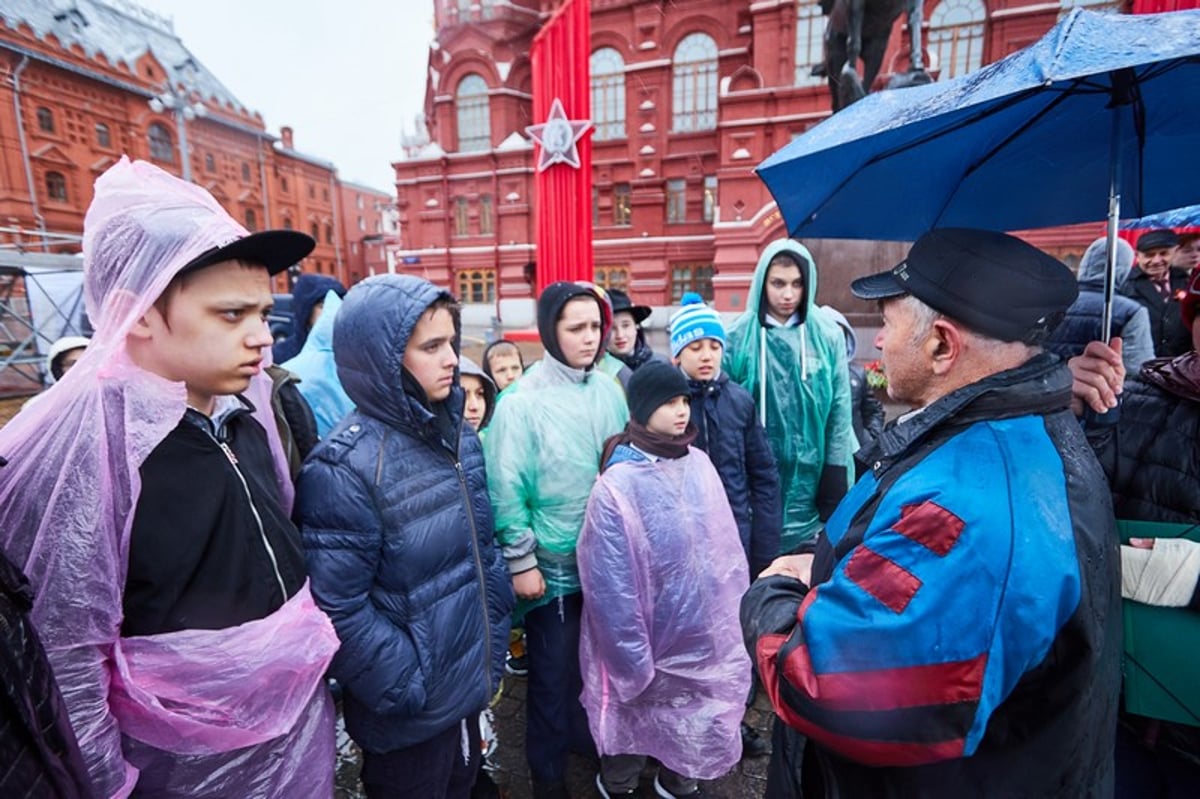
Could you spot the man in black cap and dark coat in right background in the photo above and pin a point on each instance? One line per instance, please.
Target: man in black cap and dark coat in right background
(1159, 286)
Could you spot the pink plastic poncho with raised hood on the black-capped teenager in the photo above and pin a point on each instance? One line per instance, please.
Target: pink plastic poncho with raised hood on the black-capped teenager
(241, 712)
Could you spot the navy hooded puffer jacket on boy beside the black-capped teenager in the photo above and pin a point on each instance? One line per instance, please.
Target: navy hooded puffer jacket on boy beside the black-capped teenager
(398, 533)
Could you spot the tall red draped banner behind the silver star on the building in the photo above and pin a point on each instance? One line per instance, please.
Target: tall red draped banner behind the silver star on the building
(560, 57)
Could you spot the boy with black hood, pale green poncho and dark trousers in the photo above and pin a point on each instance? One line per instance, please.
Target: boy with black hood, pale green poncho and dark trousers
(543, 456)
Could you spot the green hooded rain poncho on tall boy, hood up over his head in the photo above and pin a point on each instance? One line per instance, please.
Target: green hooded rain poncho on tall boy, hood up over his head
(800, 382)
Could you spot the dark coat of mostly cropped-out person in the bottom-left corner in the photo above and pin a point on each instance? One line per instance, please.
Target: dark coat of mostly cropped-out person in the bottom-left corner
(38, 747)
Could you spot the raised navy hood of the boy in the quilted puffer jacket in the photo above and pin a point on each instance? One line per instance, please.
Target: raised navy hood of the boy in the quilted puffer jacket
(370, 335)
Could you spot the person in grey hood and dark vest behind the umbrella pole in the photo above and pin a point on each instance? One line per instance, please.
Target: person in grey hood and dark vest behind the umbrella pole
(1131, 321)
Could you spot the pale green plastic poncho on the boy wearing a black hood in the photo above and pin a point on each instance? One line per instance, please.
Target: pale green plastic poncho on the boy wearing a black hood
(543, 454)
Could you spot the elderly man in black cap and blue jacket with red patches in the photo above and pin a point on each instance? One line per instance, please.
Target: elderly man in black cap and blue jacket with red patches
(958, 632)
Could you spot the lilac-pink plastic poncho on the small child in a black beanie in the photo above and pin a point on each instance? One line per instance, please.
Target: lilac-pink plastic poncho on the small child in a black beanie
(665, 672)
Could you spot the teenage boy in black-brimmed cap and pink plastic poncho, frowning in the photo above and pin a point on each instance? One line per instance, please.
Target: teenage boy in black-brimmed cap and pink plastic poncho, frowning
(151, 512)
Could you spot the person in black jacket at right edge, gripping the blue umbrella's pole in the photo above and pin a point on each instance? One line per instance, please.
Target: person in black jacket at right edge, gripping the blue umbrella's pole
(1151, 458)
